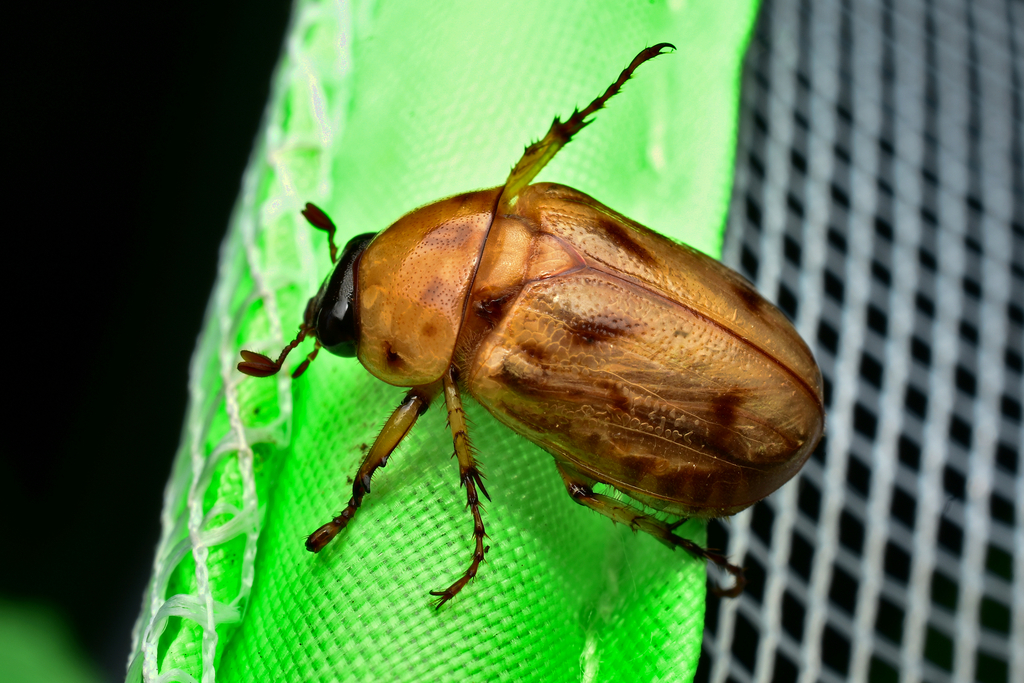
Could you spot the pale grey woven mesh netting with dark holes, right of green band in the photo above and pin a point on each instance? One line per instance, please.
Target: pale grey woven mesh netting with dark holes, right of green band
(880, 201)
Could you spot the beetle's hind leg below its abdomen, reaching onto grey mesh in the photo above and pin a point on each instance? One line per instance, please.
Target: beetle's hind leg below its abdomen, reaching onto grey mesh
(581, 490)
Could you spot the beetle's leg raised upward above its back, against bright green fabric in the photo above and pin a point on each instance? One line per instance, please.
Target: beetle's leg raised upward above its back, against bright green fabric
(538, 155)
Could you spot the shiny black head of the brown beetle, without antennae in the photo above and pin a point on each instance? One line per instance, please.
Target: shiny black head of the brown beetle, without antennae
(336, 326)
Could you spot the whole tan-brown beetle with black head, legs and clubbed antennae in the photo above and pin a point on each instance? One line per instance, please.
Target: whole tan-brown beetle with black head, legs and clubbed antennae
(634, 361)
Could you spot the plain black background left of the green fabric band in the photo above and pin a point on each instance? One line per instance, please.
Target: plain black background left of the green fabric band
(130, 127)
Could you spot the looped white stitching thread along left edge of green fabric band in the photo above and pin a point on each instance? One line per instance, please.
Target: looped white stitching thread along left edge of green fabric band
(194, 468)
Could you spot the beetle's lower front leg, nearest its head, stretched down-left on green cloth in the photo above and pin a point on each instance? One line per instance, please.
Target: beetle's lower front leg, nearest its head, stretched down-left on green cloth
(401, 422)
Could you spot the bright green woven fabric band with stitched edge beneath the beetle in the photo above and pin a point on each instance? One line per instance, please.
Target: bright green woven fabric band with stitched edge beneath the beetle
(379, 108)
